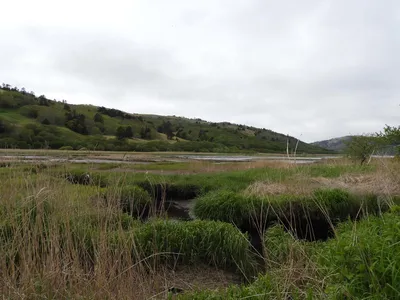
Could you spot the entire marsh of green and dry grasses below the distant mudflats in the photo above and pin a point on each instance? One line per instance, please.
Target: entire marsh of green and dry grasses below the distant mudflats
(259, 229)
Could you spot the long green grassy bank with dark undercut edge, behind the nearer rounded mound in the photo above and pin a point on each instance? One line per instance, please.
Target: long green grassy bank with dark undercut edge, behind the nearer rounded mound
(310, 217)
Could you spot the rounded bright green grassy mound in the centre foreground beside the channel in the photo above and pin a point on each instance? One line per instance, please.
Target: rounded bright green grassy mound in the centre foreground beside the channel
(210, 242)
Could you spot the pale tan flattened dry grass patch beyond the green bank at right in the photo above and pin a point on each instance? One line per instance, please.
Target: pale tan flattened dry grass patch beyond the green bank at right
(381, 177)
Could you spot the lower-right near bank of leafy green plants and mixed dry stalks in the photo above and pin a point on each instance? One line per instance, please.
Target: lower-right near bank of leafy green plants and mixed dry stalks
(361, 262)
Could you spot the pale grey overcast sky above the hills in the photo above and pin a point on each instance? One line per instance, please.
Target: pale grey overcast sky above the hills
(313, 69)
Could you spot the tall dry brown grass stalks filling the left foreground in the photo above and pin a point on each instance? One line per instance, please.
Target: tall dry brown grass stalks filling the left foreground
(55, 244)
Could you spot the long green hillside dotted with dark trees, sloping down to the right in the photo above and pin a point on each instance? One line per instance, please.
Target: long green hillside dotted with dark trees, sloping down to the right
(29, 121)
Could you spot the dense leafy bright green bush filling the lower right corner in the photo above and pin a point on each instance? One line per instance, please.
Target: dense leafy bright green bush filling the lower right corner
(363, 261)
